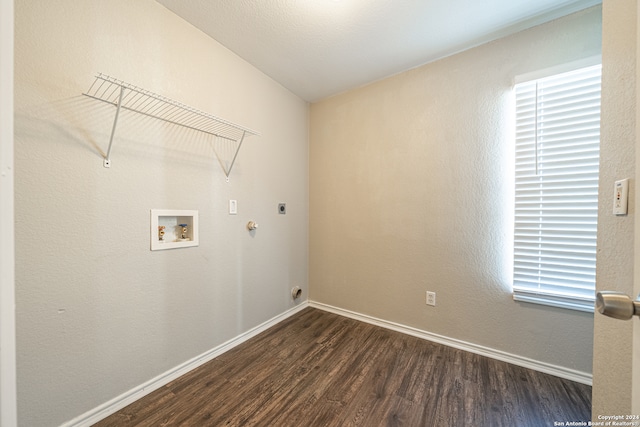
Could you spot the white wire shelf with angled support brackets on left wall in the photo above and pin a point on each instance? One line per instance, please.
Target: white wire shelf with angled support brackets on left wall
(129, 97)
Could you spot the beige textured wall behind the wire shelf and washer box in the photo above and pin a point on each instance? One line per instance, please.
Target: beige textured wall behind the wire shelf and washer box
(98, 313)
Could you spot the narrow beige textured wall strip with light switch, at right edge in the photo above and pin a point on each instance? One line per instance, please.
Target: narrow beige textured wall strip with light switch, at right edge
(612, 355)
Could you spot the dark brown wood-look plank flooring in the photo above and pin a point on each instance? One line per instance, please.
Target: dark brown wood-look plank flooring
(320, 369)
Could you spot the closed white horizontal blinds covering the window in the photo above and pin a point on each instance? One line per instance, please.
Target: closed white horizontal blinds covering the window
(556, 189)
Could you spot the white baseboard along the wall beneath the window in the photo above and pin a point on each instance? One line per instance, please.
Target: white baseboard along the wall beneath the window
(547, 368)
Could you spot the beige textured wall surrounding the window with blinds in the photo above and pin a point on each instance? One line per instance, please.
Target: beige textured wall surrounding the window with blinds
(410, 184)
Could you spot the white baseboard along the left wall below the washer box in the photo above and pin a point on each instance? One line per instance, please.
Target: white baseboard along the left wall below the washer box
(114, 405)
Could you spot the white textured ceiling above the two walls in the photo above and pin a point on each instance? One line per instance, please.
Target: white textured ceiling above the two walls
(318, 48)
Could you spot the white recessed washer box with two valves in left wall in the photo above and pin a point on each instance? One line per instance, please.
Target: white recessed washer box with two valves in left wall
(172, 229)
